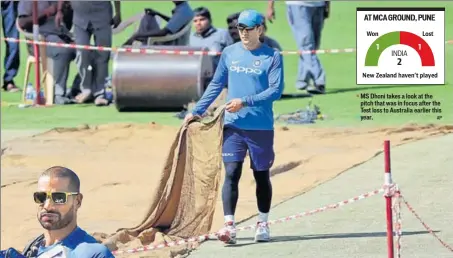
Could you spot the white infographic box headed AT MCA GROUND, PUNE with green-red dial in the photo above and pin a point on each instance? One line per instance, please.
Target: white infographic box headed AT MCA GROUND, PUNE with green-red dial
(400, 46)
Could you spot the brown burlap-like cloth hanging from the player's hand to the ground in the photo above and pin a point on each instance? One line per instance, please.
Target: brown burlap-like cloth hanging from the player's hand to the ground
(183, 204)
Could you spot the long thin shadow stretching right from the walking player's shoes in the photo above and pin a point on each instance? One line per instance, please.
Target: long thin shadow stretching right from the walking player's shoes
(276, 239)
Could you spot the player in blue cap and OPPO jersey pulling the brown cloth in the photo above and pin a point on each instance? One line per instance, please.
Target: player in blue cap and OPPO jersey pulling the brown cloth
(254, 75)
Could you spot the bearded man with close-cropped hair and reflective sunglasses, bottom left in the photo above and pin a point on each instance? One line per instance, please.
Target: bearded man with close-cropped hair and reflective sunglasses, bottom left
(58, 199)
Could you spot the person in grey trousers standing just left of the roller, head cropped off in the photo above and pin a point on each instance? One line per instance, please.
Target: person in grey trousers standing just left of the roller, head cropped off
(92, 19)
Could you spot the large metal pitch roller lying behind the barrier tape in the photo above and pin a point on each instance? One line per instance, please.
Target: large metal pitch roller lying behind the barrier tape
(159, 82)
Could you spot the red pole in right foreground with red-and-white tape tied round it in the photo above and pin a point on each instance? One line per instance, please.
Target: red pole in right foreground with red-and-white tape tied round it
(388, 199)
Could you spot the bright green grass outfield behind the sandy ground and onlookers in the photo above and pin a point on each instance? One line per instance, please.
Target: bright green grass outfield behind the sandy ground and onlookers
(341, 104)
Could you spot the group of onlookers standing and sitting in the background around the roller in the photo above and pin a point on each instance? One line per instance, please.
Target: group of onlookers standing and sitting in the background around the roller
(81, 21)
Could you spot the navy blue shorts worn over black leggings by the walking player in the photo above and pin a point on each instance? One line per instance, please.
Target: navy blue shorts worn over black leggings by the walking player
(259, 144)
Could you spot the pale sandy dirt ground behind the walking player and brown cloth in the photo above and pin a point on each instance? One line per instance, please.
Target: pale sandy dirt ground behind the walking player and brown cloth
(117, 165)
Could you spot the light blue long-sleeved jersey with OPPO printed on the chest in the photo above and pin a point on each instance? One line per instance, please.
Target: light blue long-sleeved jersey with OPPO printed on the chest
(256, 77)
